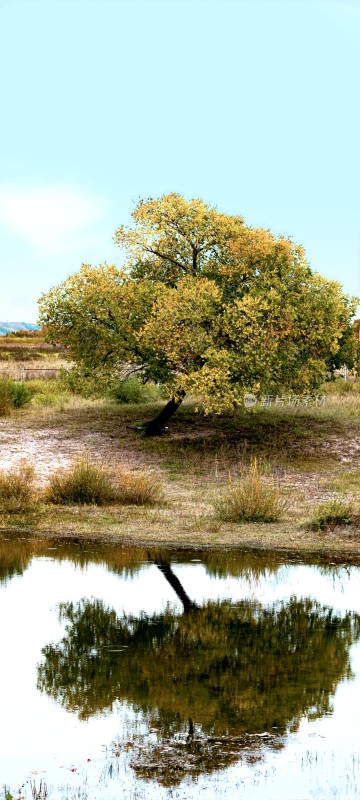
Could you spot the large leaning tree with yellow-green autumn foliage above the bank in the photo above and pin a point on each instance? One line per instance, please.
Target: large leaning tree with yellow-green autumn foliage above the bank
(204, 304)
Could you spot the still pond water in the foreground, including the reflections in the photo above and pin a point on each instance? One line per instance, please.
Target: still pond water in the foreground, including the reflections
(139, 674)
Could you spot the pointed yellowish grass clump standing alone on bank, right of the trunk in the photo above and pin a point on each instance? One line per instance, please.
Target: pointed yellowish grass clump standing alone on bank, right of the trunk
(253, 497)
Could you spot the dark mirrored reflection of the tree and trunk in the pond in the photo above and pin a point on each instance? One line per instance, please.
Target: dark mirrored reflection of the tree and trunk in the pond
(214, 681)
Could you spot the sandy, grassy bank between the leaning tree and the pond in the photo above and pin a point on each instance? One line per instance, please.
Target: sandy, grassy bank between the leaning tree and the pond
(312, 452)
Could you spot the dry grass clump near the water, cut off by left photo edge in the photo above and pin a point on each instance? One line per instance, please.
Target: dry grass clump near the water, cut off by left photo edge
(17, 492)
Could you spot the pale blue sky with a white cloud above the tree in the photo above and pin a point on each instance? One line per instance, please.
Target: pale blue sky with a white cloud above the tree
(252, 106)
